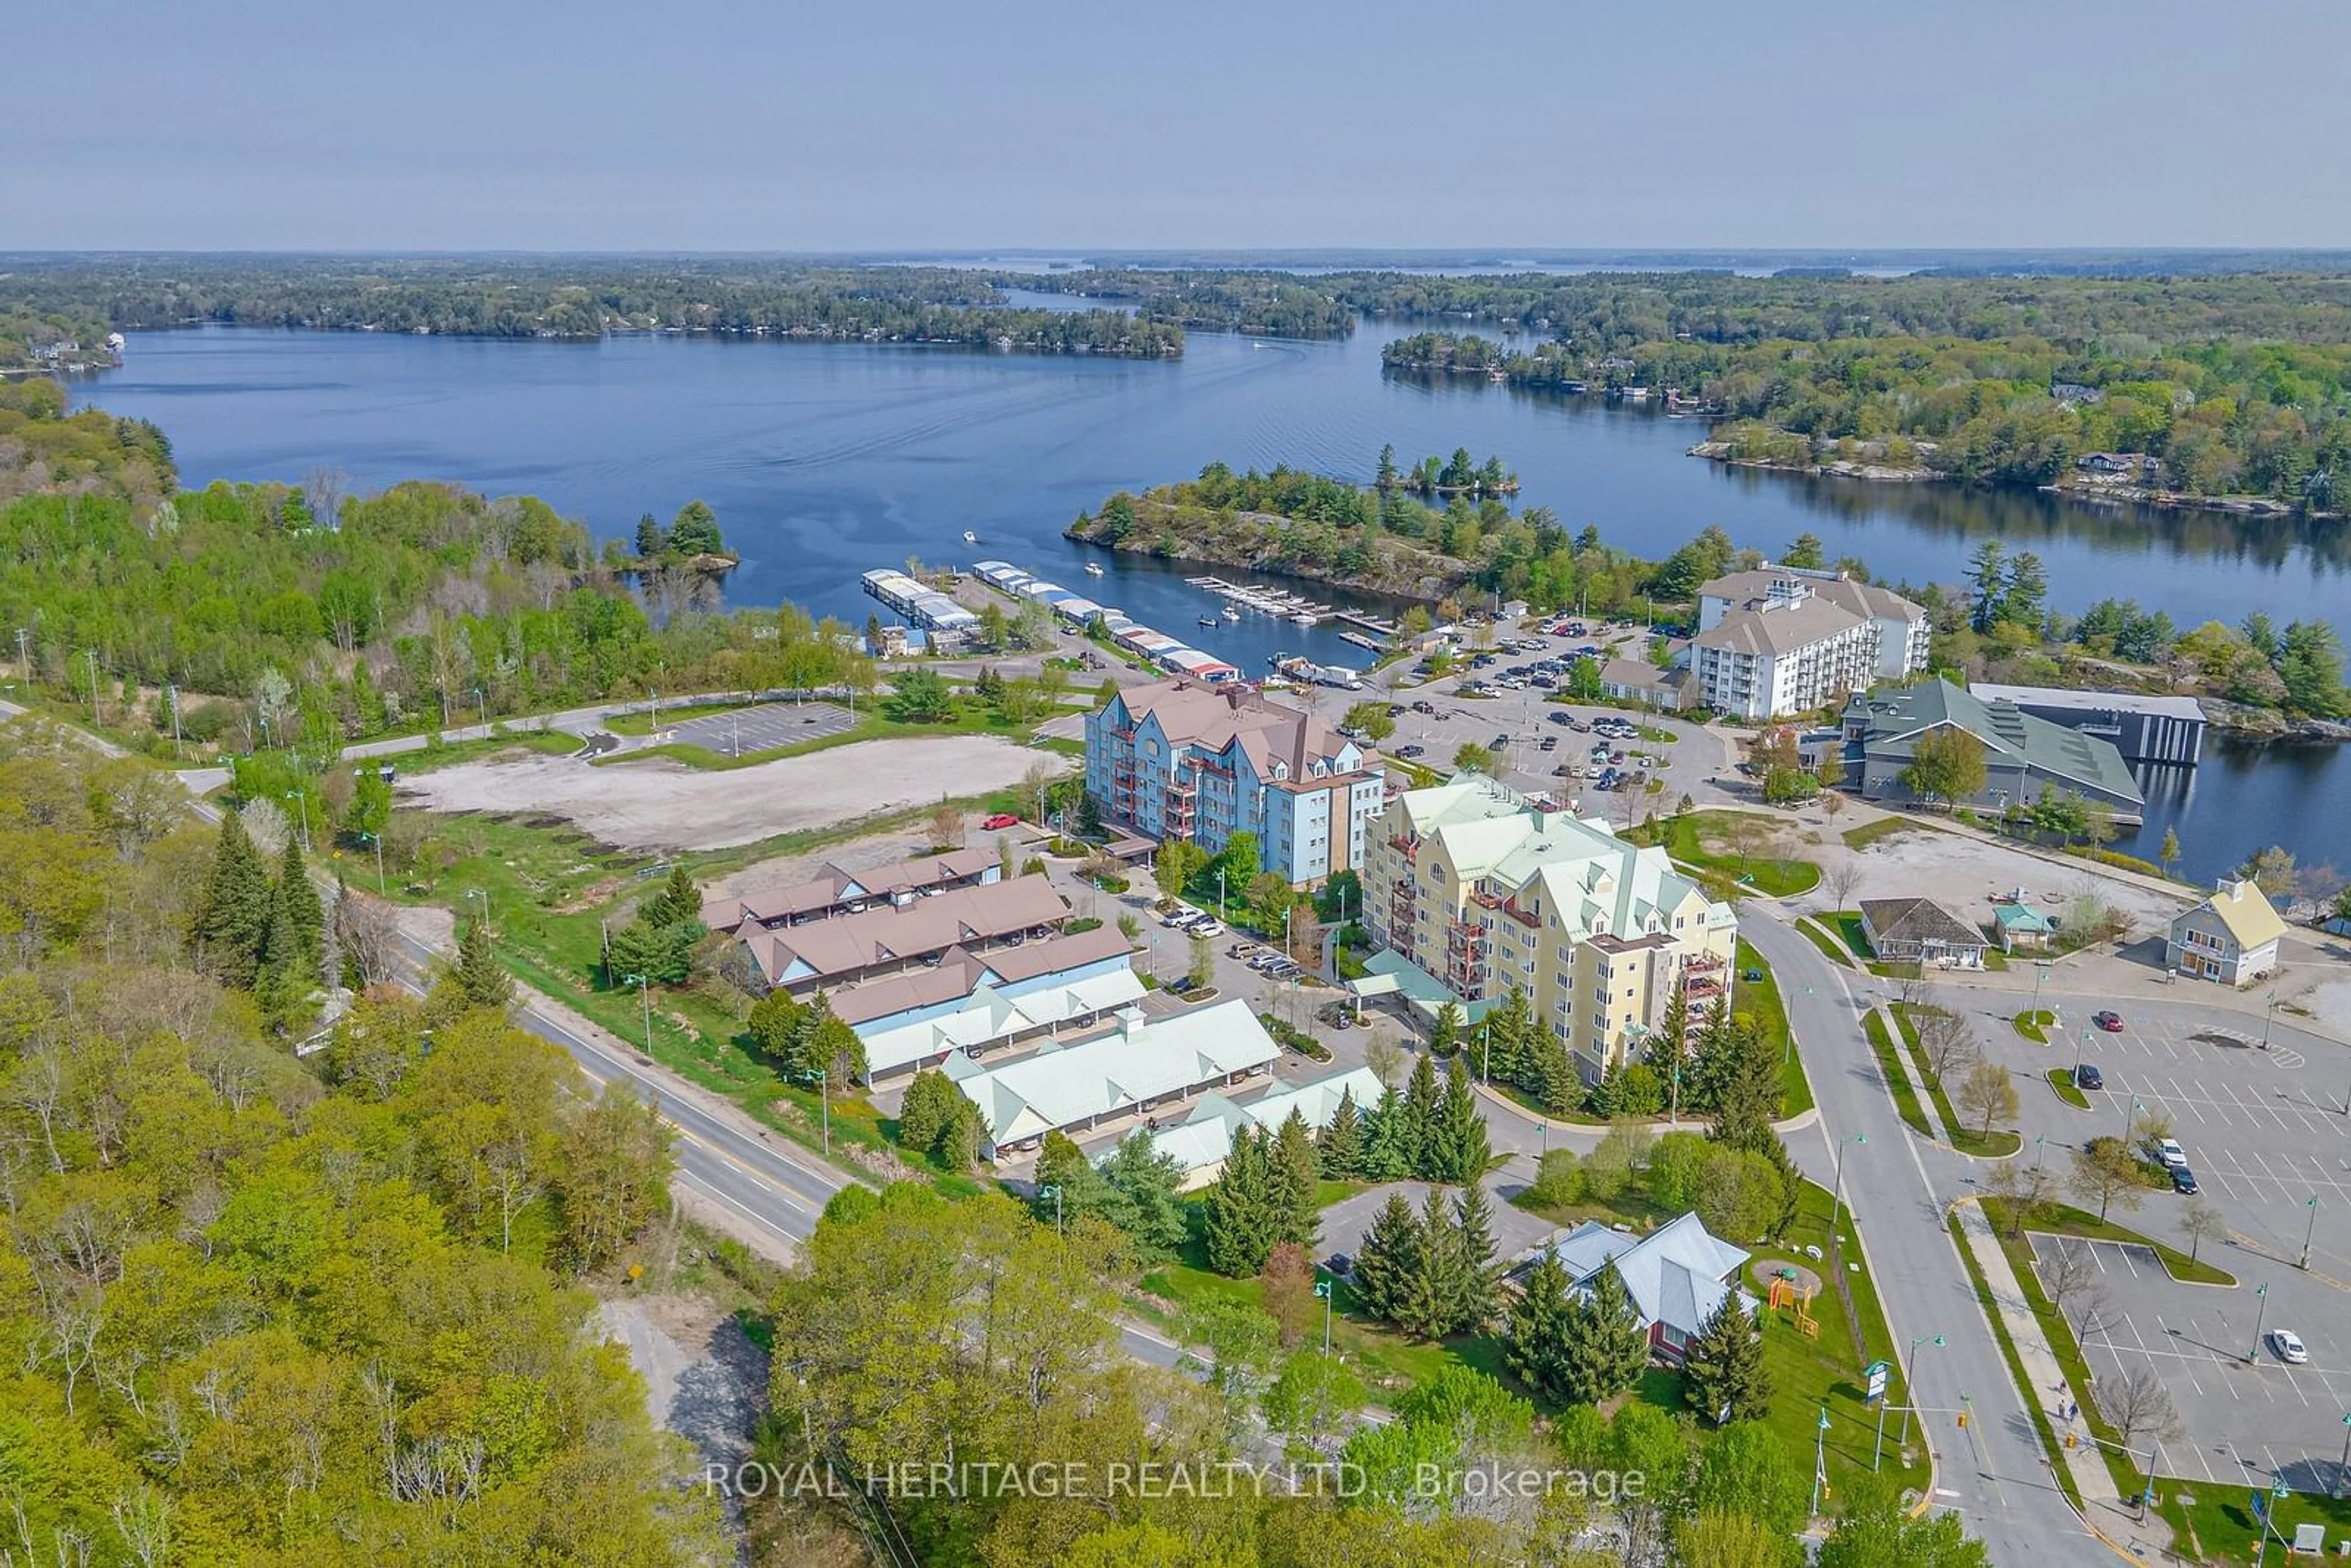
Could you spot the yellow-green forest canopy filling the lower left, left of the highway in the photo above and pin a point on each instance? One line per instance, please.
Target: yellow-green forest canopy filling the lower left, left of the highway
(279, 1313)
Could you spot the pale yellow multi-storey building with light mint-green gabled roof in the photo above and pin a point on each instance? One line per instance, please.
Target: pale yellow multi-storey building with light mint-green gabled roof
(1480, 890)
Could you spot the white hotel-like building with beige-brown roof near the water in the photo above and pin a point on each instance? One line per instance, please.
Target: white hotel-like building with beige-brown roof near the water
(1781, 641)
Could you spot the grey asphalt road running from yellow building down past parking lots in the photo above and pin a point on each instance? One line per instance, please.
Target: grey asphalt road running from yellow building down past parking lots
(1995, 1470)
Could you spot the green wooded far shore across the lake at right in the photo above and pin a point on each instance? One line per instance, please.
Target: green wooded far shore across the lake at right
(2232, 384)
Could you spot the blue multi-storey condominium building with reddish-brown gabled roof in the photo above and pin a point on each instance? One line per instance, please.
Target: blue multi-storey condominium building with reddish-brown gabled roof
(1207, 763)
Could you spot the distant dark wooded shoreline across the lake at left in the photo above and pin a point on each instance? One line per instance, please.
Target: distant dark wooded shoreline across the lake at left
(570, 300)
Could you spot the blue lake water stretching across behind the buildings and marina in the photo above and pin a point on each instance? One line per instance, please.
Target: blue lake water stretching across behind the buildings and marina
(826, 460)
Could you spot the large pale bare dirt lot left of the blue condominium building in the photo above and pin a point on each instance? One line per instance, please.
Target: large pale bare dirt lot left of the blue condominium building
(664, 805)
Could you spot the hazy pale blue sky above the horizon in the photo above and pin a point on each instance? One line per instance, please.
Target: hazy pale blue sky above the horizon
(1217, 123)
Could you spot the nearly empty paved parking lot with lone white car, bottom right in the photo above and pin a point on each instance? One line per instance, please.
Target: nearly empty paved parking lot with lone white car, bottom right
(2246, 1416)
